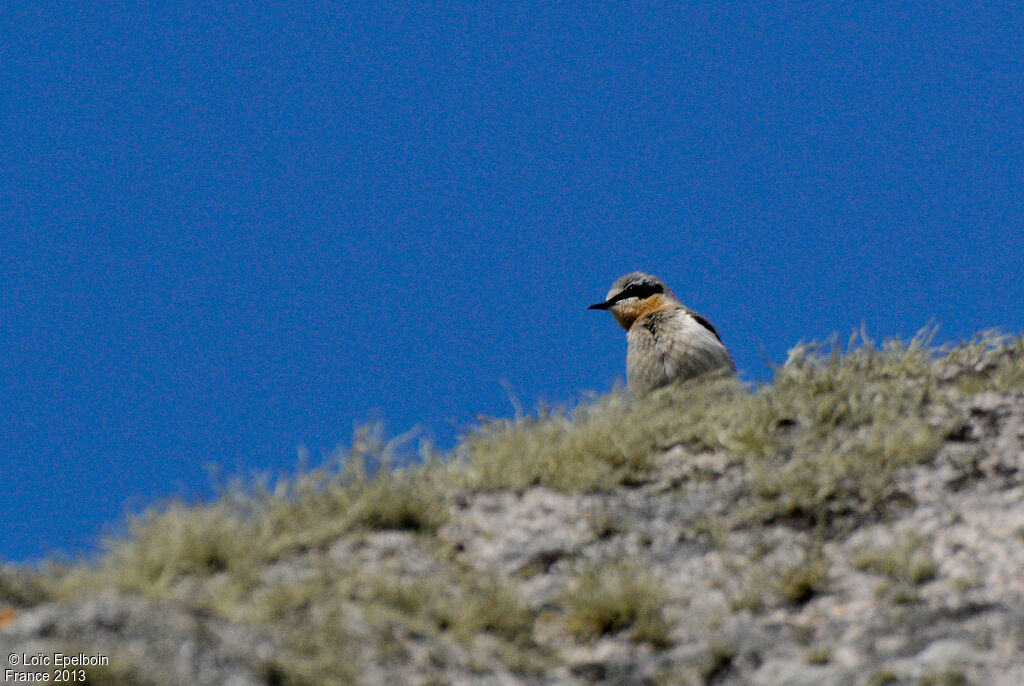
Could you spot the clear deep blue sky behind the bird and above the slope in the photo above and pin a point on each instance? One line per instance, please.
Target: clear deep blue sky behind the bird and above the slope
(230, 231)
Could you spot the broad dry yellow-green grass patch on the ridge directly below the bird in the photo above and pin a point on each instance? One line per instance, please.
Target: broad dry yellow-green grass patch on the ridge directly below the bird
(823, 444)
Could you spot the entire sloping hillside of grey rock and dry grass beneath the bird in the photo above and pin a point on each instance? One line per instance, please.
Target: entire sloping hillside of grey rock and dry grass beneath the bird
(859, 522)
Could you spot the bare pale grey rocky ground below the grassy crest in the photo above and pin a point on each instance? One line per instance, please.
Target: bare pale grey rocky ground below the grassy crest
(643, 585)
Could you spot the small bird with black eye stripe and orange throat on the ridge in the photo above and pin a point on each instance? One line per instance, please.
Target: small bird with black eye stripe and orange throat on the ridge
(667, 341)
